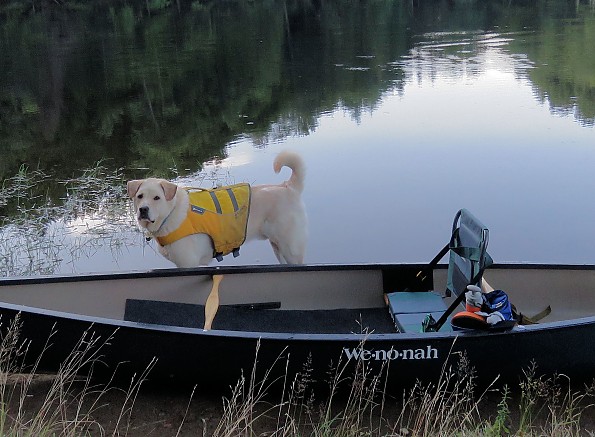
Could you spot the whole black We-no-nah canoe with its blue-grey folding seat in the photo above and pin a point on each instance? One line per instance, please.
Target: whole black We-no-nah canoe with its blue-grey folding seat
(282, 317)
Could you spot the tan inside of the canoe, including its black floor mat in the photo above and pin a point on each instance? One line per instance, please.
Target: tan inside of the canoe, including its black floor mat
(307, 299)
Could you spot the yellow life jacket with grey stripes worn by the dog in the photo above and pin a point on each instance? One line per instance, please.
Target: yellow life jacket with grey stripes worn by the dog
(221, 213)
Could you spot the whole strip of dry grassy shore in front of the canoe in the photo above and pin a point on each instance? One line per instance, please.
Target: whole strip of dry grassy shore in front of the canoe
(72, 404)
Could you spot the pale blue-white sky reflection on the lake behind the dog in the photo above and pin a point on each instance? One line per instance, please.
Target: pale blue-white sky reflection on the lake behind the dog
(463, 128)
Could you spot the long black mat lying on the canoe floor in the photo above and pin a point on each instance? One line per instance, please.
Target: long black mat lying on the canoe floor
(232, 318)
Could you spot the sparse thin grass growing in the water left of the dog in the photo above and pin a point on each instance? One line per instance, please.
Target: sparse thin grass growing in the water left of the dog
(40, 234)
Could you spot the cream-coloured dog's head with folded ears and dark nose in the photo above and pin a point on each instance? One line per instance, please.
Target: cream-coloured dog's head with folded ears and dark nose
(153, 201)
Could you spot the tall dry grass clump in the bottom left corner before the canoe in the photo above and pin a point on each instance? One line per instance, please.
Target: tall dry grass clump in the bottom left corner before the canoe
(68, 400)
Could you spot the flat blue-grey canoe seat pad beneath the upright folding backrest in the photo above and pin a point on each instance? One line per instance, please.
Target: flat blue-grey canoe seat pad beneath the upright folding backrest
(409, 309)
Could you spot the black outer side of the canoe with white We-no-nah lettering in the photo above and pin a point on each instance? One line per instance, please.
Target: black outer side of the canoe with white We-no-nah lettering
(217, 359)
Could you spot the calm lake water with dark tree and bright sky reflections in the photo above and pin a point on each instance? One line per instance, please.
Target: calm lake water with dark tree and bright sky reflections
(404, 112)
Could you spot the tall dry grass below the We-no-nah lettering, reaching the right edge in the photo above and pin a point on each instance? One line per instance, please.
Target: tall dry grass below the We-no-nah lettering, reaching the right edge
(356, 404)
